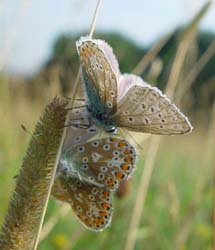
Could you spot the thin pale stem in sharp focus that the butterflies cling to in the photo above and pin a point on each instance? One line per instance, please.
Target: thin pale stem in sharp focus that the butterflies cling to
(75, 88)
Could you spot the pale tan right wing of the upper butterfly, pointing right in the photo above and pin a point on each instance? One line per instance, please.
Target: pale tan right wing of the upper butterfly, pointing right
(143, 108)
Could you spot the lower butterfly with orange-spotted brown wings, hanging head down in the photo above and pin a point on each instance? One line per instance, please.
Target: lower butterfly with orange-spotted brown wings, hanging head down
(90, 170)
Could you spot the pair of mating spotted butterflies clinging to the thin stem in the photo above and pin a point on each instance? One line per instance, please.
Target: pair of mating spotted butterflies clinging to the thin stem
(91, 169)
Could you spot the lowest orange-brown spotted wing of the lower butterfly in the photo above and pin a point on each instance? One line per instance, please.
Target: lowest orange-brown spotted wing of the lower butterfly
(91, 204)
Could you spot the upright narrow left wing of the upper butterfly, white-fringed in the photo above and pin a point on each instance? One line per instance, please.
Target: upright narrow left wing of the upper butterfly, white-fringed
(100, 72)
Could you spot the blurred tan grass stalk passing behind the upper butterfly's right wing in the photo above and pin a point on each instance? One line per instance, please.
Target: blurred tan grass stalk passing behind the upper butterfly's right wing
(173, 80)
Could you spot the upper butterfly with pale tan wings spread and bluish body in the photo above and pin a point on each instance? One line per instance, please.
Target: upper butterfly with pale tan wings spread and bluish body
(124, 100)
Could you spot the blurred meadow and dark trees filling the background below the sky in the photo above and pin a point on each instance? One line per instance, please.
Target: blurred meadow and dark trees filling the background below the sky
(178, 210)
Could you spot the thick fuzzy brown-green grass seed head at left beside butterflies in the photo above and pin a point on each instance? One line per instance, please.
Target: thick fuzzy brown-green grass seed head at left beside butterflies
(32, 182)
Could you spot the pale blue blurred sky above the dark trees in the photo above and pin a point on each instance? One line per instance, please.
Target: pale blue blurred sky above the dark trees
(28, 28)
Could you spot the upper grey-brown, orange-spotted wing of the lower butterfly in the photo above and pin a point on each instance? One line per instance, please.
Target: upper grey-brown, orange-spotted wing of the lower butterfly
(103, 162)
